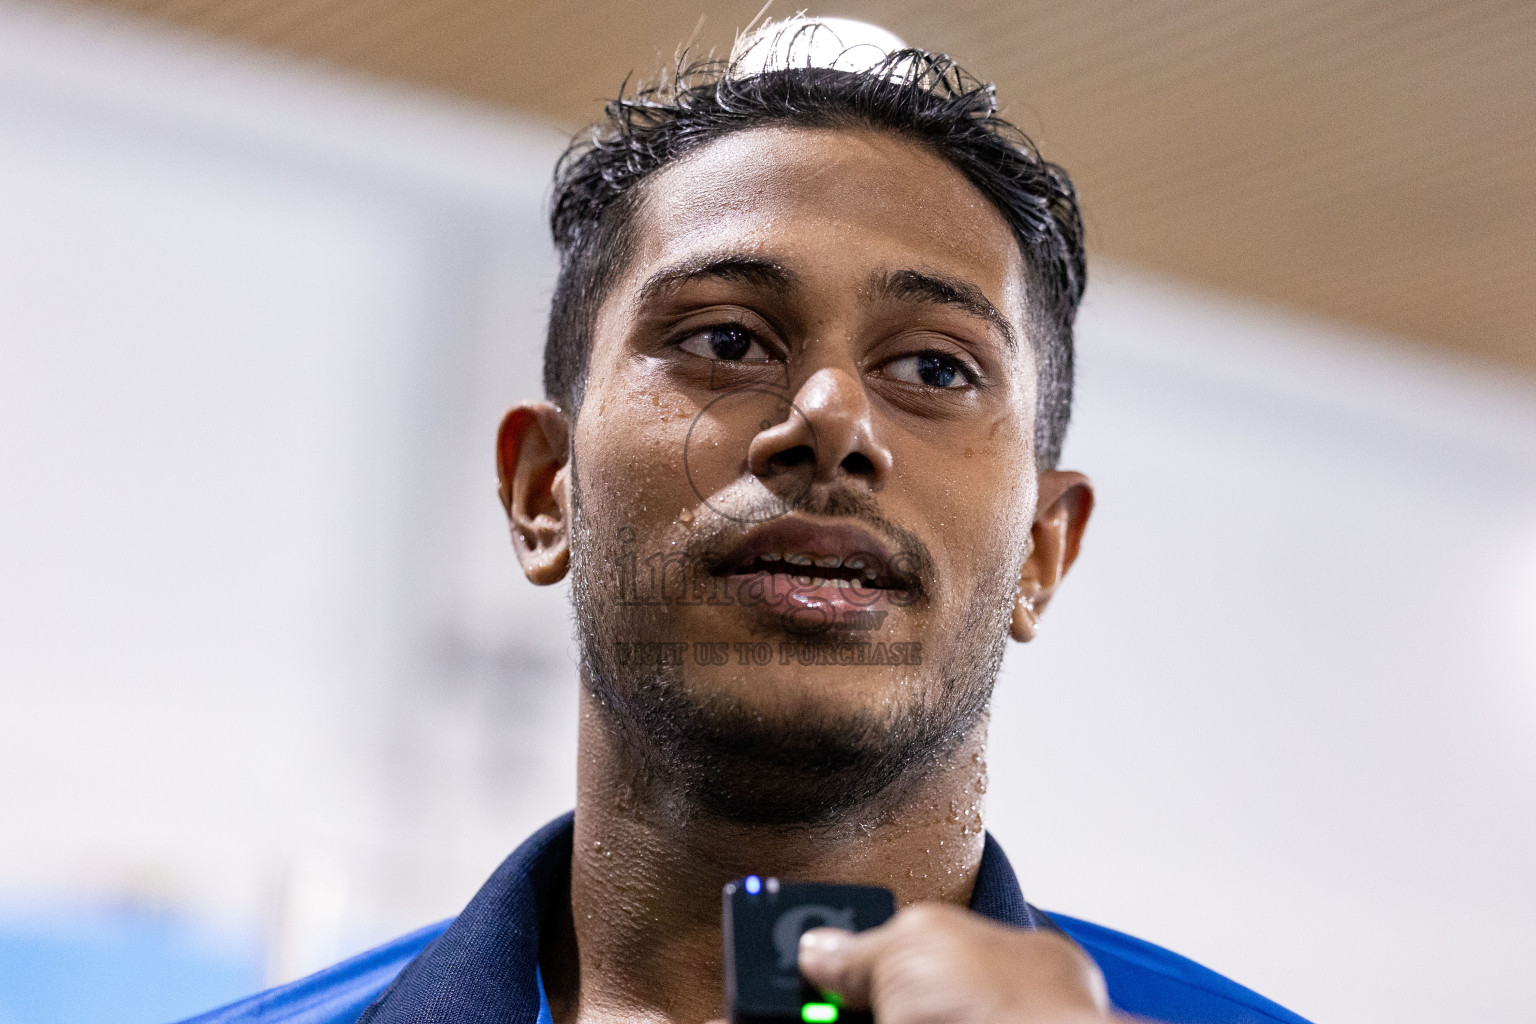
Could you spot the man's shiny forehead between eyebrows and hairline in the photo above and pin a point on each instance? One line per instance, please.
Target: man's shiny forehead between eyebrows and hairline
(832, 205)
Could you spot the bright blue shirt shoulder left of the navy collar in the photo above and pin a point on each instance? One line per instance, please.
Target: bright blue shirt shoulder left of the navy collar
(336, 996)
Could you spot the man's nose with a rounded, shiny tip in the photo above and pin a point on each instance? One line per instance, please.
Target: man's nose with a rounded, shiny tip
(830, 431)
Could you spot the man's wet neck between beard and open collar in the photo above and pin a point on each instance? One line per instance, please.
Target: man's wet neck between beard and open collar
(643, 942)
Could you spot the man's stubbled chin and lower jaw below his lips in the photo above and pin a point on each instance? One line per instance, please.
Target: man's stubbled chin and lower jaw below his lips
(783, 747)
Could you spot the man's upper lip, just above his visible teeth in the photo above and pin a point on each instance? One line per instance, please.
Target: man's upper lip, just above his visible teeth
(804, 547)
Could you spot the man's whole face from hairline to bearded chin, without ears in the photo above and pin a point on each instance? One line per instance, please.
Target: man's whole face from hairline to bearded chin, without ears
(804, 463)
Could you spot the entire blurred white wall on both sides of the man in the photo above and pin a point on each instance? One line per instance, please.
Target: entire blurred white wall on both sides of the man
(265, 655)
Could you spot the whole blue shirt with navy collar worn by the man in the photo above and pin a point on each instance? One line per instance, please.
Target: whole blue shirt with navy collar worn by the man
(482, 968)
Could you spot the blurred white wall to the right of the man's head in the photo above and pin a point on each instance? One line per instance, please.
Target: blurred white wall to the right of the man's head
(1283, 716)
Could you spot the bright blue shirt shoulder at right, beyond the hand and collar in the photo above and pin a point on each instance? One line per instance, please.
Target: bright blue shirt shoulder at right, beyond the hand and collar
(1151, 982)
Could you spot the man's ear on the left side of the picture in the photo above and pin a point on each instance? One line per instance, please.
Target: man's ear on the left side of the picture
(534, 467)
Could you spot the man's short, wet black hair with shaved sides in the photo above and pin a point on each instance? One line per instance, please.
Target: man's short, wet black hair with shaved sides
(912, 94)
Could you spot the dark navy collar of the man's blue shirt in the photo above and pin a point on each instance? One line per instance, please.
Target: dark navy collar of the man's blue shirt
(483, 969)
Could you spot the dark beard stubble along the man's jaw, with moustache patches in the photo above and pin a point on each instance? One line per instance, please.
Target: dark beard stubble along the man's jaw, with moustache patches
(804, 765)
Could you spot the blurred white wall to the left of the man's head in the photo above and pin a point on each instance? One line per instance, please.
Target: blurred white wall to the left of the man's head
(257, 328)
